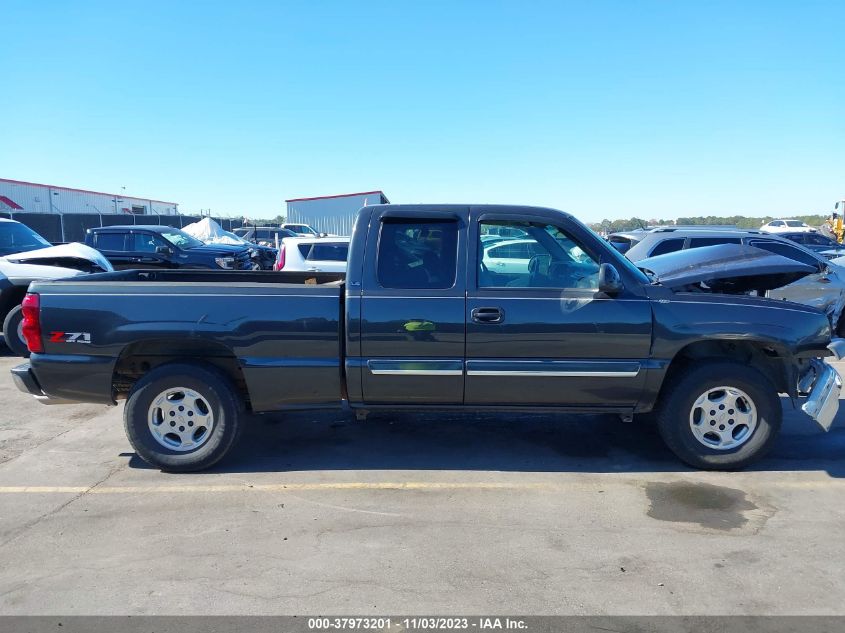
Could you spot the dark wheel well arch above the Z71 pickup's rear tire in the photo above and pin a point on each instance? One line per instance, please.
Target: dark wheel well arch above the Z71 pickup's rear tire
(139, 358)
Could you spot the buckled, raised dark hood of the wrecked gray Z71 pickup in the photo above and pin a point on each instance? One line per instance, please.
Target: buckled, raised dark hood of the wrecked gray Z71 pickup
(726, 268)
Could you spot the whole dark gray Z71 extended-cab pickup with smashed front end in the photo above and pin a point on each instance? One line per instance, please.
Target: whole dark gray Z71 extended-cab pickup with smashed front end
(443, 307)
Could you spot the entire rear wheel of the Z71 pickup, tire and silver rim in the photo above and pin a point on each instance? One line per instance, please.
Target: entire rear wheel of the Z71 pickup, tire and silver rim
(183, 417)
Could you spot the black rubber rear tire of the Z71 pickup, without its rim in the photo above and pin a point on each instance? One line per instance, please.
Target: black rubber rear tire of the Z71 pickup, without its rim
(223, 402)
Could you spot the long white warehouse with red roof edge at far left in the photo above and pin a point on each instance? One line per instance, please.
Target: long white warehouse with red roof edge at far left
(17, 196)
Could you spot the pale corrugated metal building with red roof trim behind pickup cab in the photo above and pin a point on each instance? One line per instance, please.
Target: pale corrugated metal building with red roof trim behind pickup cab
(332, 214)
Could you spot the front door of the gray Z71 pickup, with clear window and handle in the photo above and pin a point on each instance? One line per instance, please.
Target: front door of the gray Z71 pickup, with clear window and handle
(540, 332)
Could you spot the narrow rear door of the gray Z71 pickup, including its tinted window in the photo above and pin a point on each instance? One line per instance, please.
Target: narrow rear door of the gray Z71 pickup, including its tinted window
(412, 308)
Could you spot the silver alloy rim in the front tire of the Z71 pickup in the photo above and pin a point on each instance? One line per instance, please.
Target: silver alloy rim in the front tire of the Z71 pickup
(723, 418)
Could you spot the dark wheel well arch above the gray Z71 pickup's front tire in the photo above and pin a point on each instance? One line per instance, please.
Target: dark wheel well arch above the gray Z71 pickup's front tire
(770, 359)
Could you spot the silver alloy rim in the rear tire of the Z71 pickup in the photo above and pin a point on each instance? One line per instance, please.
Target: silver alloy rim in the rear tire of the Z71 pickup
(180, 419)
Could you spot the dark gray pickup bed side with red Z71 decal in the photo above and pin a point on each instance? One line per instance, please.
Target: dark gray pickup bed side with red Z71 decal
(281, 332)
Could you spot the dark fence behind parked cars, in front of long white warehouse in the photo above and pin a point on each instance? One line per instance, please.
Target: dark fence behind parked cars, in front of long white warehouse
(58, 228)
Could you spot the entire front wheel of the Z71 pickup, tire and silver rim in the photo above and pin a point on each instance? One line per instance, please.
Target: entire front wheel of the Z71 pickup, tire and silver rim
(719, 415)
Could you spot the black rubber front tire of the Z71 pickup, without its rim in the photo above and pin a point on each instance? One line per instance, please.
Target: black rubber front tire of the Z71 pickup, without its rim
(680, 394)
